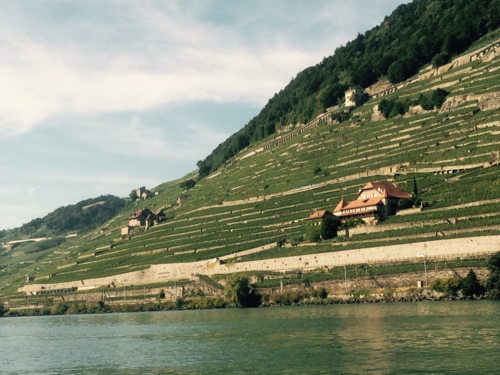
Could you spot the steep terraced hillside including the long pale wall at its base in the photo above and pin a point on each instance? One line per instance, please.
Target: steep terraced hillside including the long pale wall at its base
(254, 208)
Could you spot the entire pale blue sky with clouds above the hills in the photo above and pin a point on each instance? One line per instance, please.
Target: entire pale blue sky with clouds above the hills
(99, 97)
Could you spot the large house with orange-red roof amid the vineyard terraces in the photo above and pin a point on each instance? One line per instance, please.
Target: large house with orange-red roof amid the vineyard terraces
(375, 200)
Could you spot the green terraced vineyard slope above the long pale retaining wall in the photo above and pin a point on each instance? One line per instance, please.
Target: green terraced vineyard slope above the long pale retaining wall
(254, 202)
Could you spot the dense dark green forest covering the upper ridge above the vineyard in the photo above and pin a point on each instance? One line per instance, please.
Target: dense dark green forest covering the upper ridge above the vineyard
(413, 35)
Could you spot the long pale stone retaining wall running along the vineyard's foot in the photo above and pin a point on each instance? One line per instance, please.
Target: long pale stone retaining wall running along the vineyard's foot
(460, 247)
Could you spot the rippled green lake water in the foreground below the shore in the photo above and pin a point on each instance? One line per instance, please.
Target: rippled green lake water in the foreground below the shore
(461, 337)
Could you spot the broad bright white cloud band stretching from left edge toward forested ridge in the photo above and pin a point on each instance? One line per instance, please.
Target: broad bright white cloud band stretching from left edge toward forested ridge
(191, 62)
